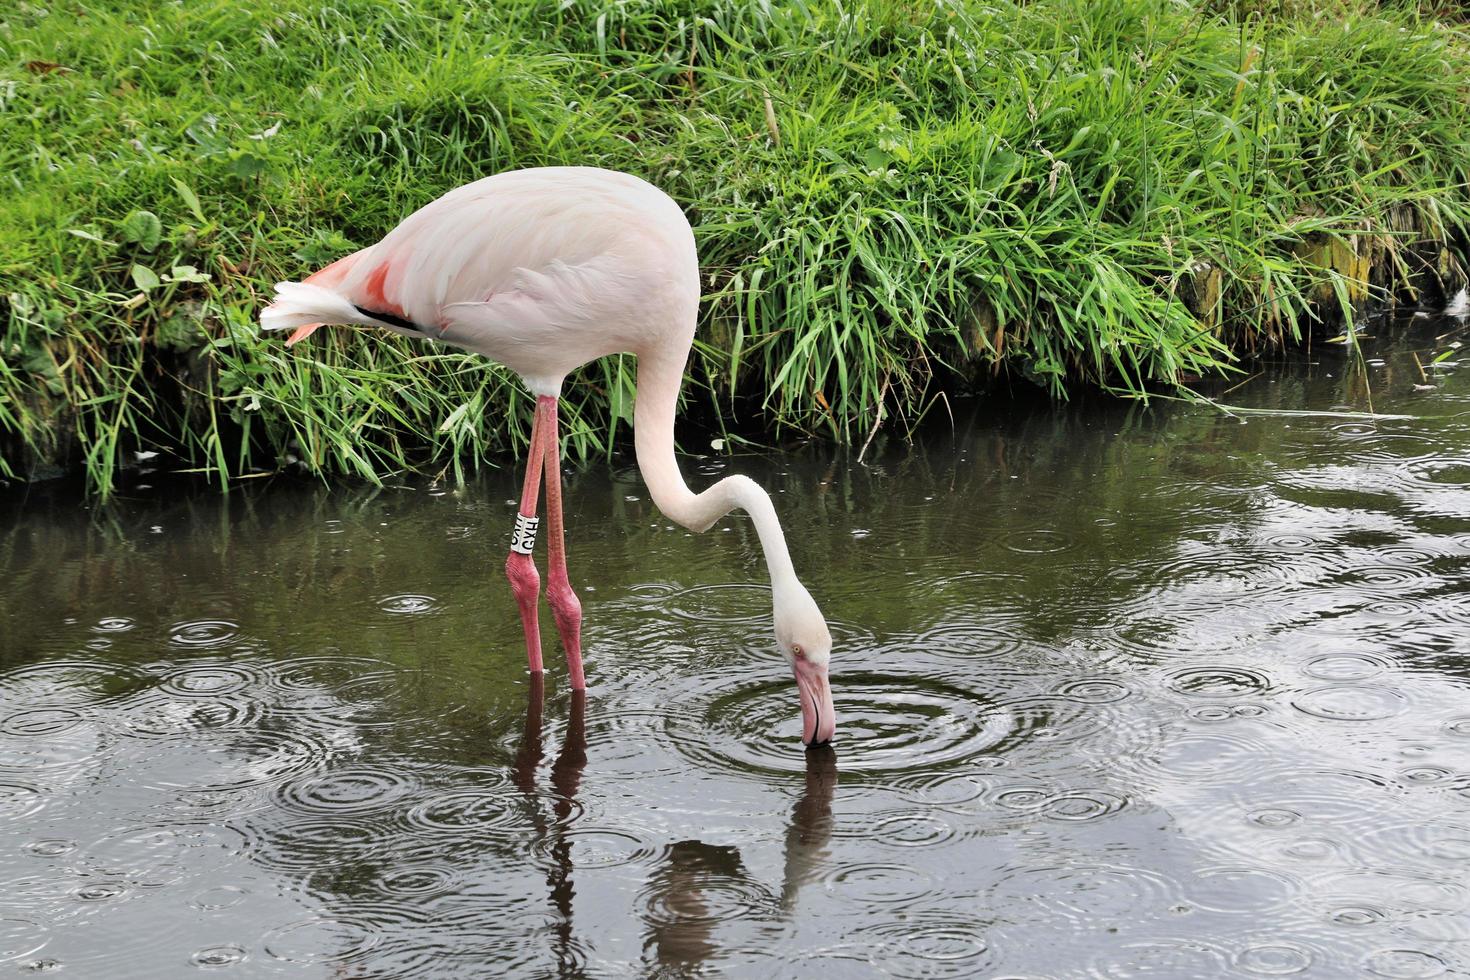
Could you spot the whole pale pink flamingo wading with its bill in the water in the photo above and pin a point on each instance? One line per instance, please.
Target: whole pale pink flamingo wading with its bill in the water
(543, 271)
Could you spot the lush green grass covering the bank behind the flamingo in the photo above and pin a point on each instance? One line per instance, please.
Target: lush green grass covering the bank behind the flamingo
(892, 201)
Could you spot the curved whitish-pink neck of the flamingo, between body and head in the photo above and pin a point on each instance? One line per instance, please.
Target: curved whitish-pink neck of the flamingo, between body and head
(659, 380)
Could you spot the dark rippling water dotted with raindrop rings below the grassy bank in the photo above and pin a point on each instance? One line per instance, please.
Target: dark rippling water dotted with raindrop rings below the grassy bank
(1121, 694)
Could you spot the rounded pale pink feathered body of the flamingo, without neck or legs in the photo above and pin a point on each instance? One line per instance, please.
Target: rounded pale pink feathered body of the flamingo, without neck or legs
(542, 271)
